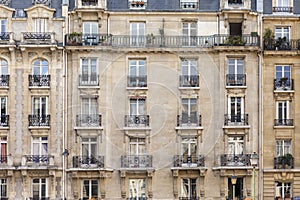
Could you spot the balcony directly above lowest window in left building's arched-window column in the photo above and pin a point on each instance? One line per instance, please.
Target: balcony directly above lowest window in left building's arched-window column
(37, 160)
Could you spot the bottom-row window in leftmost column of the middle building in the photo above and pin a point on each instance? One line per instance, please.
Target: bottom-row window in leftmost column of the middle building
(89, 189)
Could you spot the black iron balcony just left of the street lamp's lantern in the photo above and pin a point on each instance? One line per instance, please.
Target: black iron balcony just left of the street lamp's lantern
(235, 160)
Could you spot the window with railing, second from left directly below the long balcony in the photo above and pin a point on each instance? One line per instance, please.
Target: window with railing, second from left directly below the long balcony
(137, 73)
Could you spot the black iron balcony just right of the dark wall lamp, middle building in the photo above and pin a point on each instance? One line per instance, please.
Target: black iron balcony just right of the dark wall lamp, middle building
(88, 161)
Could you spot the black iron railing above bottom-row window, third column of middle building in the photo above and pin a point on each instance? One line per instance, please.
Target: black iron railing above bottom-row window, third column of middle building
(189, 161)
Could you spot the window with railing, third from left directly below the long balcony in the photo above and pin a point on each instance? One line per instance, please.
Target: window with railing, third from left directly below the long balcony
(189, 71)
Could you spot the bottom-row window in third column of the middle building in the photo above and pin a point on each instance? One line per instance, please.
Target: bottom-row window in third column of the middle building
(188, 188)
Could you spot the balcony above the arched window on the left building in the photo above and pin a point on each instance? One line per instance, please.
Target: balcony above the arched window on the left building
(38, 38)
